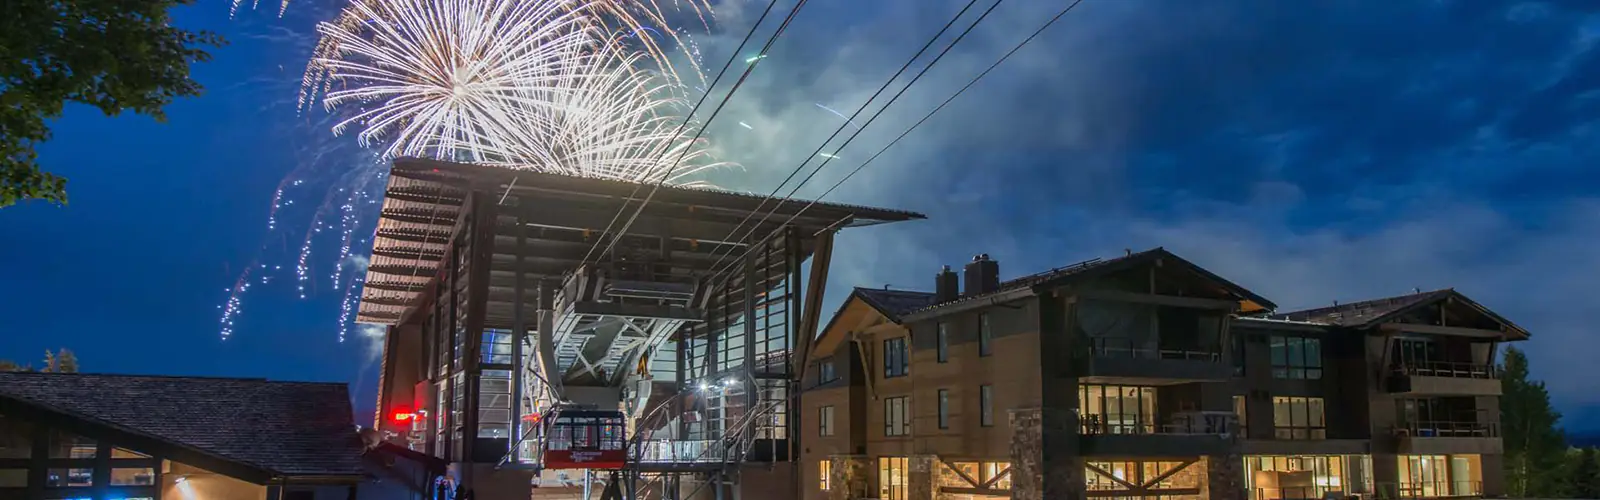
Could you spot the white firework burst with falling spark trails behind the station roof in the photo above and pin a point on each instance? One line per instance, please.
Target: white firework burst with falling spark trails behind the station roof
(574, 87)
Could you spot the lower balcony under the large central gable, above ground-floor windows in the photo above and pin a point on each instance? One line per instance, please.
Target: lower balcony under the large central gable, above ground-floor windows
(1185, 435)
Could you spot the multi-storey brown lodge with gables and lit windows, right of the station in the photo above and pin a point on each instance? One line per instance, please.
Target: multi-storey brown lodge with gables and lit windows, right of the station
(1145, 377)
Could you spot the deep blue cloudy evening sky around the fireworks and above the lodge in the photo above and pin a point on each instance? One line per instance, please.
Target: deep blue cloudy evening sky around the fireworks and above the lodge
(1311, 151)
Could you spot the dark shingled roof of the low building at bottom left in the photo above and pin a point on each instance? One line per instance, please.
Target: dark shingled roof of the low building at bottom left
(287, 429)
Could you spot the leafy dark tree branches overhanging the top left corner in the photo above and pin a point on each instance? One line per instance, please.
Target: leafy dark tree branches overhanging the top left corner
(113, 55)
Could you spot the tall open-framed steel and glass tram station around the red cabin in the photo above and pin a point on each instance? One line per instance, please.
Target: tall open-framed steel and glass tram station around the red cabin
(502, 302)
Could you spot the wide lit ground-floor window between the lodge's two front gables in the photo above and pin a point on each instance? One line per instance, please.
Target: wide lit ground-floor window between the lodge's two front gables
(1306, 477)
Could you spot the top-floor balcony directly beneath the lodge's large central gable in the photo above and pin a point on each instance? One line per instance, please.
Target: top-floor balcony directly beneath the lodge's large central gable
(1122, 361)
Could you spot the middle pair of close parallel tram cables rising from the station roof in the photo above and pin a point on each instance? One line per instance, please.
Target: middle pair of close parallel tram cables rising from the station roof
(858, 131)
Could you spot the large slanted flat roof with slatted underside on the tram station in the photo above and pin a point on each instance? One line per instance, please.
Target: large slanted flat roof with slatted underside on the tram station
(425, 203)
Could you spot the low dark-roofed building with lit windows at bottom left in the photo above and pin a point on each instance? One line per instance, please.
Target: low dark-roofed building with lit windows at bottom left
(194, 438)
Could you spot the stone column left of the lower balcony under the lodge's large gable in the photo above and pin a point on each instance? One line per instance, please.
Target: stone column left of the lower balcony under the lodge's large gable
(1046, 464)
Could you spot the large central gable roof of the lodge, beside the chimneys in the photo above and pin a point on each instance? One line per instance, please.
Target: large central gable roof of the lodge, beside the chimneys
(1095, 267)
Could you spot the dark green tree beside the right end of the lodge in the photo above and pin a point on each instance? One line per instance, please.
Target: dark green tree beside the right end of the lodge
(1535, 448)
